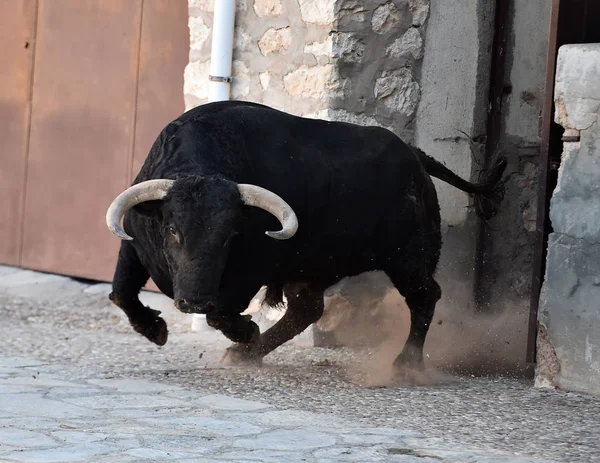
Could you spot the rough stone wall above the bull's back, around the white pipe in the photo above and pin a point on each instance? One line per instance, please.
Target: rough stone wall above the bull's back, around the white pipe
(346, 60)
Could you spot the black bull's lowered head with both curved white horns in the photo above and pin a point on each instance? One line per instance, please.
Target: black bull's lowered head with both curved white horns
(198, 217)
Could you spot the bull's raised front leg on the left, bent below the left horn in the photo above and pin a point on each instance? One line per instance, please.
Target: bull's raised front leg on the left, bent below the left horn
(130, 277)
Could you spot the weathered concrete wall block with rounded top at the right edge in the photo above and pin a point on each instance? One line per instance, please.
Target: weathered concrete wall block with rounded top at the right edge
(569, 317)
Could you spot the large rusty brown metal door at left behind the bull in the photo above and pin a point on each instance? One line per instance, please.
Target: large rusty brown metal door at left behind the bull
(108, 75)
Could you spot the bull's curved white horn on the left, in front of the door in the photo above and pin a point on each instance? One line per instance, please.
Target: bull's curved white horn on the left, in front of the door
(150, 190)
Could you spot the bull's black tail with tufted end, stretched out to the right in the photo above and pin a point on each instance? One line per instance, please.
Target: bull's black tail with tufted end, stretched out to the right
(488, 193)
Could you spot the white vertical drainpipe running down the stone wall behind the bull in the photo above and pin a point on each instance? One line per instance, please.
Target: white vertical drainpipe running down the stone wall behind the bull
(219, 85)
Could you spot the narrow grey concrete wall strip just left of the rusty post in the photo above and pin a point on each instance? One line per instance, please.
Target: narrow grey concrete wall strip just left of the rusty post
(511, 244)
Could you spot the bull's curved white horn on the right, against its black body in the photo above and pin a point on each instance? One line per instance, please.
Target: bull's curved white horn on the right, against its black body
(256, 196)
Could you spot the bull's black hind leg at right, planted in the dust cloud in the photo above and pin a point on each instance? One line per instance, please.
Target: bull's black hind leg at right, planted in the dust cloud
(421, 292)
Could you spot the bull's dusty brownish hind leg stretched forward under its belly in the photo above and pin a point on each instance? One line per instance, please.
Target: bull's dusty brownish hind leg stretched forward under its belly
(304, 308)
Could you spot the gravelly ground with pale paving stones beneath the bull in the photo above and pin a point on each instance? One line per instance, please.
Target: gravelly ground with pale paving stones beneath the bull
(76, 384)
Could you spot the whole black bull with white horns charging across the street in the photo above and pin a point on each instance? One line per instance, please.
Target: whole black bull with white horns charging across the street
(362, 198)
